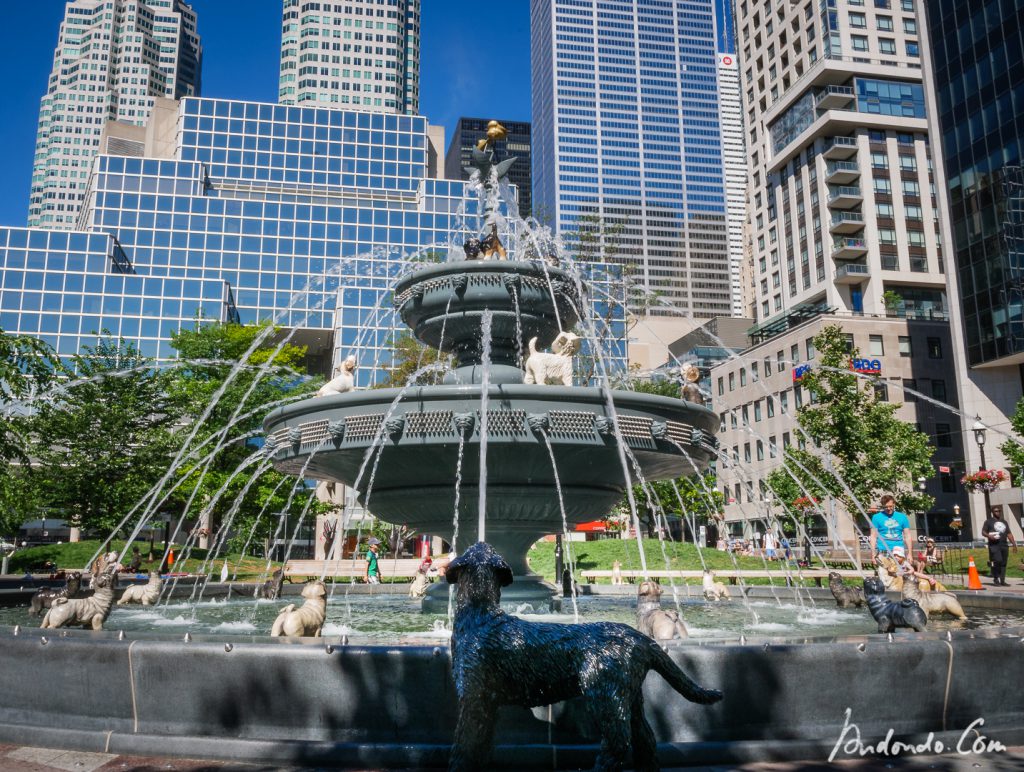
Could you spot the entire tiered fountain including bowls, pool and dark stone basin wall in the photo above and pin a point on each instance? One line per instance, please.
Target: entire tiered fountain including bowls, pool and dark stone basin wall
(484, 457)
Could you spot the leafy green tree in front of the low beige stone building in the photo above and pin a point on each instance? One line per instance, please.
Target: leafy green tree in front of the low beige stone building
(858, 440)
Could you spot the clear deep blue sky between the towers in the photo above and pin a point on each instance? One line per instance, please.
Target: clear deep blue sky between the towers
(475, 62)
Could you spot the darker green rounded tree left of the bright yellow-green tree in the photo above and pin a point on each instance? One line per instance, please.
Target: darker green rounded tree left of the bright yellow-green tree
(105, 442)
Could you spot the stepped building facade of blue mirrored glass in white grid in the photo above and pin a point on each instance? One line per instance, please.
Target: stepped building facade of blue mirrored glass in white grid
(295, 215)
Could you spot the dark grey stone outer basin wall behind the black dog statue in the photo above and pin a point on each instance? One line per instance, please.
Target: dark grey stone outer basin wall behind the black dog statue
(325, 703)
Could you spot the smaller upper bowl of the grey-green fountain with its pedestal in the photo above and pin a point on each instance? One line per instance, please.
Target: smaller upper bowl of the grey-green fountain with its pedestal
(445, 307)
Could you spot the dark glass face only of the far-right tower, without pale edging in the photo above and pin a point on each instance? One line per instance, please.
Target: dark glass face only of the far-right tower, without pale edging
(978, 53)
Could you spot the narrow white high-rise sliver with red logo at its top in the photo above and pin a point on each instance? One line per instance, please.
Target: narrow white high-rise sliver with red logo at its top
(735, 165)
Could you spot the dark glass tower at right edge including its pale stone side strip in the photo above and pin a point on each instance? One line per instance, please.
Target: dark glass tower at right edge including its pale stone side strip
(977, 108)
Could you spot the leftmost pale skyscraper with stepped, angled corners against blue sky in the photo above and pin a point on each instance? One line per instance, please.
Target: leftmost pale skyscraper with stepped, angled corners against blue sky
(113, 59)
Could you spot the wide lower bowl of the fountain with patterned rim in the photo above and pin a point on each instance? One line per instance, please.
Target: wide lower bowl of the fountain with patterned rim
(402, 457)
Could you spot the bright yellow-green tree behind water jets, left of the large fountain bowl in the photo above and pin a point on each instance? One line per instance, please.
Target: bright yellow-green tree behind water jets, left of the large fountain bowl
(252, 374)
